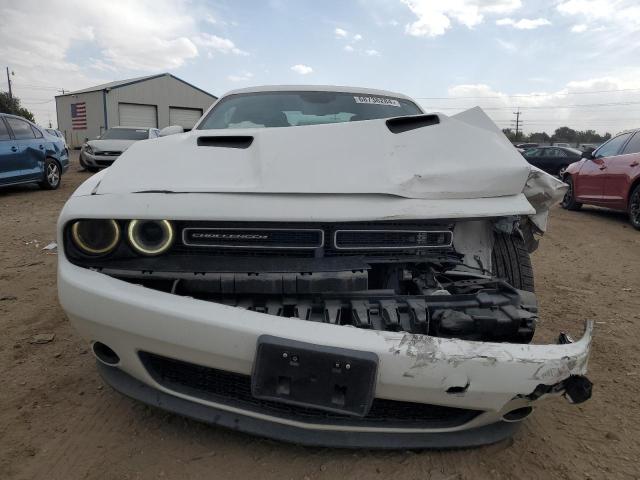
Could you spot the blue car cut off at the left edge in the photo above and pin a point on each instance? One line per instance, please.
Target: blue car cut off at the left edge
(28, 155)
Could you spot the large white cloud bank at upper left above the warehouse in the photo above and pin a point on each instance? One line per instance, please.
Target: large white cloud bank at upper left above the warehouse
(89, 43)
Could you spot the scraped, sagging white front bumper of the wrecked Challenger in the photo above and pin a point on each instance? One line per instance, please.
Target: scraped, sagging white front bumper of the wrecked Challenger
(491, 378)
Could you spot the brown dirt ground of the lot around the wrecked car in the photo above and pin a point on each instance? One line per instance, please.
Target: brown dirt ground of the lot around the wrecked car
(58, 421)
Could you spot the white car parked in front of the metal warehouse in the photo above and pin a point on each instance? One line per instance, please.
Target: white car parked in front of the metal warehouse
(104, 150)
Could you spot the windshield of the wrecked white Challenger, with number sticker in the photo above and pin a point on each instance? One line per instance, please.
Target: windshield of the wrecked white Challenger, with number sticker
(288, 109)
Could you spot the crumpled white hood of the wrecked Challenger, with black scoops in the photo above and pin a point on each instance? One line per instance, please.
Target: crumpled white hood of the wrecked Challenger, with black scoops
(463, 156)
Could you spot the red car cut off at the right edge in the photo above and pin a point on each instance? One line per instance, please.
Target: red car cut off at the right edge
(608, 177)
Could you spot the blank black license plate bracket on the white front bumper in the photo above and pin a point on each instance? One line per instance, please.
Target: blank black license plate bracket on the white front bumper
(326, 378)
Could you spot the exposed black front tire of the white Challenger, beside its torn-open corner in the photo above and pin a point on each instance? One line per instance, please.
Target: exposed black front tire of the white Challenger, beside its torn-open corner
(511, 261)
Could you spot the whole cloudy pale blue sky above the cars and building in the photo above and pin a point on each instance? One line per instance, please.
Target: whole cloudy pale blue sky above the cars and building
(561, 62)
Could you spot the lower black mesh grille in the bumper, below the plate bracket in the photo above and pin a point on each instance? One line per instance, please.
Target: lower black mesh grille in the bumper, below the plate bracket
(235, 389)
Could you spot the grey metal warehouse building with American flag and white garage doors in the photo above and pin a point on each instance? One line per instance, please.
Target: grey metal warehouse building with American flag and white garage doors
(152, 101)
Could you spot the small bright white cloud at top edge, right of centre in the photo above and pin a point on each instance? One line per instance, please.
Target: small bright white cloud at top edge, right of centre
(435, 18)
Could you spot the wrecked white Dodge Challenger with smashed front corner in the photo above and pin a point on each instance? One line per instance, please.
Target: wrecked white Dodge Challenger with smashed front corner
(324, 265)
